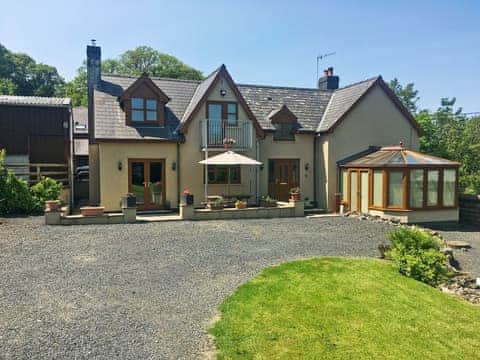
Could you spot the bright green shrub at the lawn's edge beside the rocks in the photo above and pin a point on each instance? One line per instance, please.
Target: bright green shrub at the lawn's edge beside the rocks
(416, 254)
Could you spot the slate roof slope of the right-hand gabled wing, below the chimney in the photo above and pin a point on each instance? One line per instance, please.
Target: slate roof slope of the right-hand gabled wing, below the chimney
(342, 100)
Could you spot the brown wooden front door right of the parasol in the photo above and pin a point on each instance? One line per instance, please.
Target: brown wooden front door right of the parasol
(284, 174)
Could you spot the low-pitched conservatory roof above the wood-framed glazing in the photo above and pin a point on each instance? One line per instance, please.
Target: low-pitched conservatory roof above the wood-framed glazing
(398, 156)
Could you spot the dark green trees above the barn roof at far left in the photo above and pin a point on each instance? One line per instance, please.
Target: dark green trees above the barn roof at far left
(21, 75)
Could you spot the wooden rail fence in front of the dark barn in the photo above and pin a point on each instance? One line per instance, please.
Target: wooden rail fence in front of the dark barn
(33, 173)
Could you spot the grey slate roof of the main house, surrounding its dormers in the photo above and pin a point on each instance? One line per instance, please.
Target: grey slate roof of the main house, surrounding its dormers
(316, 110)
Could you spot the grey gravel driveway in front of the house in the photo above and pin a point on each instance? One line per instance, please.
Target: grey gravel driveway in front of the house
(144, 291)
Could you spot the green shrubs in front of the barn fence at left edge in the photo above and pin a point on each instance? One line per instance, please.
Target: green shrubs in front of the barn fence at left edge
(17, 198)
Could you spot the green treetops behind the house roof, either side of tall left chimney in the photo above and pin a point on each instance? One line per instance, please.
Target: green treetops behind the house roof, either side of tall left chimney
(142, 59)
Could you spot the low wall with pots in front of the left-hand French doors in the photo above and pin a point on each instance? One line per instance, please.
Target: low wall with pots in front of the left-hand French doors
(127, 216)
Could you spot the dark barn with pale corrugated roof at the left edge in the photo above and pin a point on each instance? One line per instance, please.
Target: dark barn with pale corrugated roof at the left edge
(35, 133)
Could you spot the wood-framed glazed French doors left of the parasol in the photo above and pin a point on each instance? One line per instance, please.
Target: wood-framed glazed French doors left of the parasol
(147, 182)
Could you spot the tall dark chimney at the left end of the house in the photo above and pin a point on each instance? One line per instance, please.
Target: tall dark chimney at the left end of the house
(94, 62)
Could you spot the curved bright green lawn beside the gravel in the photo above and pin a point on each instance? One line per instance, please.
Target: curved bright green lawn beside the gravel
(334, 308)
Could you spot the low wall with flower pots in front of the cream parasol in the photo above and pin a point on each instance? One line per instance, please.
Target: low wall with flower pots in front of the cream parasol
(290, 209)
